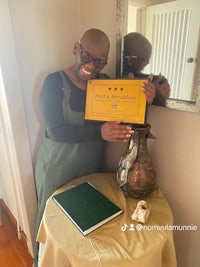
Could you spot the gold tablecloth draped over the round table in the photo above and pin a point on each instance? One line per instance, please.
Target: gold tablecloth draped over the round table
(113, 244)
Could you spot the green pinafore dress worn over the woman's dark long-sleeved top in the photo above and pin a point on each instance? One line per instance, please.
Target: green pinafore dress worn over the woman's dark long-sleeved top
(60, 162)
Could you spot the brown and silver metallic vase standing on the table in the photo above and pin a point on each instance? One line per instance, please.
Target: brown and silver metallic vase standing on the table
(136, 175)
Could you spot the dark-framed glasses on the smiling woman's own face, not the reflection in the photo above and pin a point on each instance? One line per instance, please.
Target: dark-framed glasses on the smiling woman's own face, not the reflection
(87, 58)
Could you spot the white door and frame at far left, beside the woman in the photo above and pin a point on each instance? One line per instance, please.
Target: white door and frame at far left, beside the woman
(16, 164)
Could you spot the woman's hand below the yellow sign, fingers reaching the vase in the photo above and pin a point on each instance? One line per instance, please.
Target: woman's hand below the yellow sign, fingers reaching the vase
(116, 132)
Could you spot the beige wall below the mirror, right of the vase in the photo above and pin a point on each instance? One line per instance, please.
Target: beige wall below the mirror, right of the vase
(176, 156)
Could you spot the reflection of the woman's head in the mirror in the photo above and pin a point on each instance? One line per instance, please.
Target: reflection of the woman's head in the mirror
(136, 54)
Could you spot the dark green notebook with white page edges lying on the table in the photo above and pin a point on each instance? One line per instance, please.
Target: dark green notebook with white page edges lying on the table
(86, 207)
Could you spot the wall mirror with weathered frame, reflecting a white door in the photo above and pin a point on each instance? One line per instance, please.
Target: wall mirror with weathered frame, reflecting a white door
(141, 16)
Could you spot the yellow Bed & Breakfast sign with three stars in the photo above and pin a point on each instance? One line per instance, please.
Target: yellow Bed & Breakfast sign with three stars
(115, 100)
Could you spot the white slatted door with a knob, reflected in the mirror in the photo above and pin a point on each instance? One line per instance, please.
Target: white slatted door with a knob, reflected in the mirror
(173, 30)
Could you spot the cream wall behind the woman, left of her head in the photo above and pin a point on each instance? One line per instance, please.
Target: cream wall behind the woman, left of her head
(45, 32)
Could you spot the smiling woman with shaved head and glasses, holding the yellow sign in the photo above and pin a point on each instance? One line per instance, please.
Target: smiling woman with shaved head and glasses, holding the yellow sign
(72, 147)
